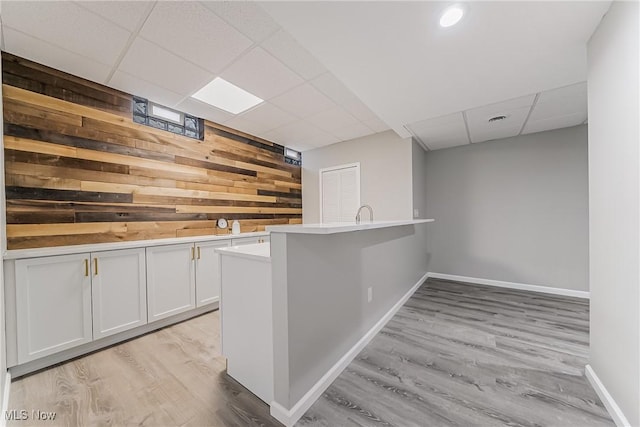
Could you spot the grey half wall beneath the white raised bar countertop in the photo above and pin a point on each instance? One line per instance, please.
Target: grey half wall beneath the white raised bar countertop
(320, 306)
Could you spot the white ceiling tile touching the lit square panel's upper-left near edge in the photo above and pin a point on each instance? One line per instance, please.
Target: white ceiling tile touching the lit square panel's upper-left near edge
(156, 65)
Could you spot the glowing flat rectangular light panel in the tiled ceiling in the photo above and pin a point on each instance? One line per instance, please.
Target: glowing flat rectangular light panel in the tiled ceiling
(226, 96)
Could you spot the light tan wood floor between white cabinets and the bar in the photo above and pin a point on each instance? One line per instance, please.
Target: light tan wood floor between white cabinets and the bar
(172, 377)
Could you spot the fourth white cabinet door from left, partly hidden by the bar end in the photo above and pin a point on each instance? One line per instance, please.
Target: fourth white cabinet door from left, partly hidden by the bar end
(208, 272)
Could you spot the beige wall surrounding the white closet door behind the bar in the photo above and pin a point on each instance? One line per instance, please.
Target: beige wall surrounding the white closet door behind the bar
(385, 175)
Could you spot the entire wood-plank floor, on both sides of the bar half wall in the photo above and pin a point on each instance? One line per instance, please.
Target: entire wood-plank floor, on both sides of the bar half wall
(455, 354)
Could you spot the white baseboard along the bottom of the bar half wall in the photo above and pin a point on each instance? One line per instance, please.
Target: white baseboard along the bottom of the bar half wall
(289, 417)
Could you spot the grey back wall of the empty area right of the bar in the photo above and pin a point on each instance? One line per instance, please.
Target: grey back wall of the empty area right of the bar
(513, 210)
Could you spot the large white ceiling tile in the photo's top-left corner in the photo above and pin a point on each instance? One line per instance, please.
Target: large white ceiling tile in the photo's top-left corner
(69, 26)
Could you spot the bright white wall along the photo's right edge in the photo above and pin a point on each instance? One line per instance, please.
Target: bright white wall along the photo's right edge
(614, 205)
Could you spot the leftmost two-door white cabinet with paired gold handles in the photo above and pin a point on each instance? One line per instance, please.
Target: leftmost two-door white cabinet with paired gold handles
(64, 301)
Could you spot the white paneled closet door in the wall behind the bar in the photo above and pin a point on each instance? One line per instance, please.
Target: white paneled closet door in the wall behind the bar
(339, 193)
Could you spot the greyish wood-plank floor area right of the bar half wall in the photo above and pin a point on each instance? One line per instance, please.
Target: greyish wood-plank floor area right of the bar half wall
(469, 355)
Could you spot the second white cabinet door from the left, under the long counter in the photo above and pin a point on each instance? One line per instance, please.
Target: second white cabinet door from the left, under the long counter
(119, 288)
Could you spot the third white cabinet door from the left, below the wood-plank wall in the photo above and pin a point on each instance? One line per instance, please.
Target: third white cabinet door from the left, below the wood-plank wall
(170, 280)
